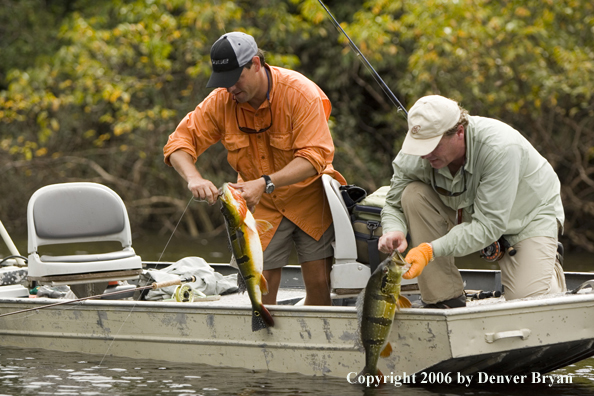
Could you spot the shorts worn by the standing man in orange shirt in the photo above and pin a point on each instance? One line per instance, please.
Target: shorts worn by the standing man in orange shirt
(308, 249)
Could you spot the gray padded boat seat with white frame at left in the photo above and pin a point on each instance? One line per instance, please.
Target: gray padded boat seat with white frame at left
(79, 213)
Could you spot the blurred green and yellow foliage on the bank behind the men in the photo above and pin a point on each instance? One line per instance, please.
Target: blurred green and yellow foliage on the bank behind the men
(91, 90)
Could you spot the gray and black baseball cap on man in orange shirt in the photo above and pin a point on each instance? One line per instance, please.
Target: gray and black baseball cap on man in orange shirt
(229, 54)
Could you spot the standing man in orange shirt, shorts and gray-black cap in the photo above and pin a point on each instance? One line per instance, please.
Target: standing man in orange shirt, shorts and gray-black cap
(274, 124)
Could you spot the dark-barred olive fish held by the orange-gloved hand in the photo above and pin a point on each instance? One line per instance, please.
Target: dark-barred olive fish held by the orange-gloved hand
(377, 305)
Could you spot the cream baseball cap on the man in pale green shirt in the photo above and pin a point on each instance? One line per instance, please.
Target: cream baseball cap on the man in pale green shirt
(428, 119)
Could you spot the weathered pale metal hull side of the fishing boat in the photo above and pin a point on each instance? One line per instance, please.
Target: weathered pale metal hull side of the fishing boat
(545, 333)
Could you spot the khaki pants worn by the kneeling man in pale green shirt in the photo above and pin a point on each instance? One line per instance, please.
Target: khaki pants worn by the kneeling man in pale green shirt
(533, 271)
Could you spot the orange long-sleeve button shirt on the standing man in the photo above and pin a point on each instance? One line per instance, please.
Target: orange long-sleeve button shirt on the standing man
(300, 112)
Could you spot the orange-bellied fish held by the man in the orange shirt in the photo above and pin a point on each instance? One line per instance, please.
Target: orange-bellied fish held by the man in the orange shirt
(243, 231)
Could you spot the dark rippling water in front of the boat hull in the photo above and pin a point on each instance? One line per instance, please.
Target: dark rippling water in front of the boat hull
(38, 372)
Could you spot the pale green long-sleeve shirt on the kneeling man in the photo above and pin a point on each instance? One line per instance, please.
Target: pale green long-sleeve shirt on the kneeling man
(511, 190)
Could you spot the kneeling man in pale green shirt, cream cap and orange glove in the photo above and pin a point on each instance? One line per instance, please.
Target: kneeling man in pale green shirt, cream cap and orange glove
(462, 182)
